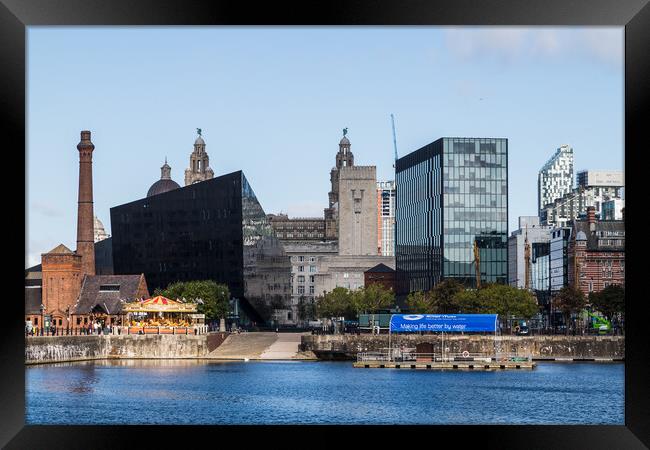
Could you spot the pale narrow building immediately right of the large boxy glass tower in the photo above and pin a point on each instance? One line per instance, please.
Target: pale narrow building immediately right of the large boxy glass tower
(530, 232)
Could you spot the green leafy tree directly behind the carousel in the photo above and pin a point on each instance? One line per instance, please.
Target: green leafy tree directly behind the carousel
(215, 297)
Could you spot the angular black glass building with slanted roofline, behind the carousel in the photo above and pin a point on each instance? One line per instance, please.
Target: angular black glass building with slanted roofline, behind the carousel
(211, 230)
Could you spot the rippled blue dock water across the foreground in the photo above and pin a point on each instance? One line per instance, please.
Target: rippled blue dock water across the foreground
(191, 392)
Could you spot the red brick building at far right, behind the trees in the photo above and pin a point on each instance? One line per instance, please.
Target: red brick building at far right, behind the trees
(596, 253)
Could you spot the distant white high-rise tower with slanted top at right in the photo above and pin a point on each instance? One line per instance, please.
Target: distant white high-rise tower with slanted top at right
(555, 179)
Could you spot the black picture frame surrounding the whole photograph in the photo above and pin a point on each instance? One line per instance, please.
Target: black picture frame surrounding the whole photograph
(634, 15)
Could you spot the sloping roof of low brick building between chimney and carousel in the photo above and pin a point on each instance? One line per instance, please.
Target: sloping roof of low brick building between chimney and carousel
(126, 289)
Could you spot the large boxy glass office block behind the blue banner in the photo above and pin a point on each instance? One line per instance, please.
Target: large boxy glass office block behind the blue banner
(450, 195)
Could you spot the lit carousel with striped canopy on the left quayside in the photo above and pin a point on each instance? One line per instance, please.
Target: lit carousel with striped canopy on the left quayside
(160, 315)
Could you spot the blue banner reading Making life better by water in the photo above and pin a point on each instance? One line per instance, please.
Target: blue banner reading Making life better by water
(448, 323)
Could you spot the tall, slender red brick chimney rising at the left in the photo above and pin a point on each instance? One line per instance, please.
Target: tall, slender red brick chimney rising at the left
(85, 216)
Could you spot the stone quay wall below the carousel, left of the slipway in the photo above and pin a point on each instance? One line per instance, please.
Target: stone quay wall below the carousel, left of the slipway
(50, 349)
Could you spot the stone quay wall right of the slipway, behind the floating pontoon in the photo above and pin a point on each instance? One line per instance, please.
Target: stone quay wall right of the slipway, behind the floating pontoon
(540, 347)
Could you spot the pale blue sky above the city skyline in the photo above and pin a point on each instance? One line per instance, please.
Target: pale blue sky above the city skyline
(272, 101)
